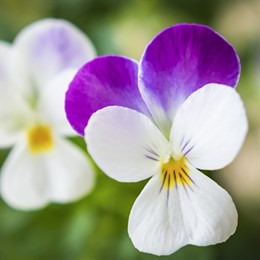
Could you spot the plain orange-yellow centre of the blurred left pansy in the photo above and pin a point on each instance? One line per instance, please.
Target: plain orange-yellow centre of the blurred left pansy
(40, 139)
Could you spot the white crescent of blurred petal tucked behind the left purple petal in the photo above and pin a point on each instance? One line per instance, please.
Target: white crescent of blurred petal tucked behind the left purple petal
(52, 102)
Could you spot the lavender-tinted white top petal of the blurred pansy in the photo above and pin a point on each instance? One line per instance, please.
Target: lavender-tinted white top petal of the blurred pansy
(49, 46)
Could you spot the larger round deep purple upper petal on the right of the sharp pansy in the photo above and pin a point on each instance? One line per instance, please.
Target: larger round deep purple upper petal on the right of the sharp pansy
(180, 60)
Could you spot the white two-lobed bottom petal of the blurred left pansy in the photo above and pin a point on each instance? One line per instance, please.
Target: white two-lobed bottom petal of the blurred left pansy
(30, 181)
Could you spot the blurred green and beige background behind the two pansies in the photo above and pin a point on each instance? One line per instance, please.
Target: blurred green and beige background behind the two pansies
(96, 226)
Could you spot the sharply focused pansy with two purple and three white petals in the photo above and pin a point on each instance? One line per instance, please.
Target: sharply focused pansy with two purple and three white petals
(173, 113)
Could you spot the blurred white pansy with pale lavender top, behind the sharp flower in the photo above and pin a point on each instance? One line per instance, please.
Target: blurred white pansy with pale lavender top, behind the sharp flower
(35, 72)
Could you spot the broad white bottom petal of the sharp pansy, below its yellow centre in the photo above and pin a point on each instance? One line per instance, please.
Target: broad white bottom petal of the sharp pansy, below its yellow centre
(163, 221)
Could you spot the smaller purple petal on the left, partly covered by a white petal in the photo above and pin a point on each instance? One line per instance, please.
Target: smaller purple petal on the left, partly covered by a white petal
(104, 81)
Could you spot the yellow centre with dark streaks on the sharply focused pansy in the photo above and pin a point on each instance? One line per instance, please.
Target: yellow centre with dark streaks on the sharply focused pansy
(175, 172)
